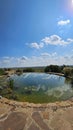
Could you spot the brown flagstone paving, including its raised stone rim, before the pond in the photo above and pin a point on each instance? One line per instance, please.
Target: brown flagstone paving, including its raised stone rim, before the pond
(24, 116)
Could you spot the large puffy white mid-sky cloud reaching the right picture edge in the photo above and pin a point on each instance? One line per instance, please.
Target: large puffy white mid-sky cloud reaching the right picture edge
(56, 40)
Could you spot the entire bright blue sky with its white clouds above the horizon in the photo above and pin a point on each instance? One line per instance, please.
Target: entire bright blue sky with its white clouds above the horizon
(36, 32)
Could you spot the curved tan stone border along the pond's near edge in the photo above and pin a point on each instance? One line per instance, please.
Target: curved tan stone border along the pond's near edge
(54, 106)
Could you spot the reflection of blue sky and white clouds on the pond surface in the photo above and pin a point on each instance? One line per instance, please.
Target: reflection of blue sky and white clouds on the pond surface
(51, 85)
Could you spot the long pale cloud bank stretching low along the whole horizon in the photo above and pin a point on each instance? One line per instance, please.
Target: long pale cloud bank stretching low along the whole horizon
(50, 58)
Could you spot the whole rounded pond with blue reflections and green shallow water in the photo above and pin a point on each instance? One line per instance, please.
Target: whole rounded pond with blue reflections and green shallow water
(42, 87)
